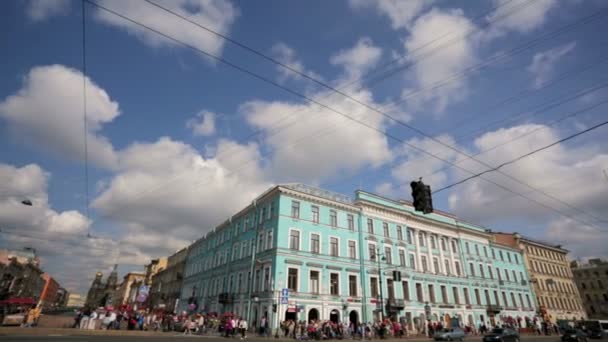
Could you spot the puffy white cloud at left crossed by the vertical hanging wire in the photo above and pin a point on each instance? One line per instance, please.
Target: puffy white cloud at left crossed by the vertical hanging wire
(46, 116)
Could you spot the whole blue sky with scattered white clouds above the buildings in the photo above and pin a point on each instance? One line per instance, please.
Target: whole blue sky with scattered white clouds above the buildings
(182, 132)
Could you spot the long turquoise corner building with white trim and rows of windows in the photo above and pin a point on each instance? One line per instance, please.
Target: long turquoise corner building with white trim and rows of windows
(298, 252)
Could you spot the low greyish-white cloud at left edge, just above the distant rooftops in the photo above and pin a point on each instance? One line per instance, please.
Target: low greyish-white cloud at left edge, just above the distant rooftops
(46, 229)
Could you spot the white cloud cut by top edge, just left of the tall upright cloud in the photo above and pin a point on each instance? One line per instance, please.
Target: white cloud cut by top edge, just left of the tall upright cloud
(401, 13)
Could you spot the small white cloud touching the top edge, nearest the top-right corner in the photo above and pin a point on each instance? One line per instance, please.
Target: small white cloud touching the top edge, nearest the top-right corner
(523, 19)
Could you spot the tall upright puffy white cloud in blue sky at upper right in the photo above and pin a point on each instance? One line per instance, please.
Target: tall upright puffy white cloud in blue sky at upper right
(431, 69)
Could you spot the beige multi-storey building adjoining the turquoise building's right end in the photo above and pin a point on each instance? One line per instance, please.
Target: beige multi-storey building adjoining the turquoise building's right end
(556, 293)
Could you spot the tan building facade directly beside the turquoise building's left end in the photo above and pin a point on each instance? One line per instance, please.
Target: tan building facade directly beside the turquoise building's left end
(167, 284)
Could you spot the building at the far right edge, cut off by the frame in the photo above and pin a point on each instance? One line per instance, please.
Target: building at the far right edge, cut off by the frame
(592, 282)
